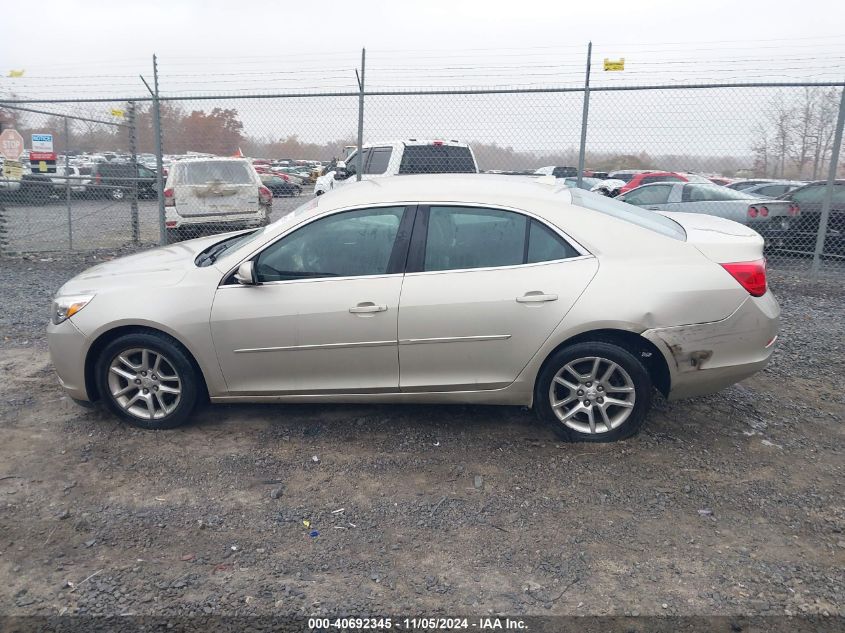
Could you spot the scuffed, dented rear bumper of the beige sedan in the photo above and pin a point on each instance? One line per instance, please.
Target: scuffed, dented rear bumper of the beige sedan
(708, 357)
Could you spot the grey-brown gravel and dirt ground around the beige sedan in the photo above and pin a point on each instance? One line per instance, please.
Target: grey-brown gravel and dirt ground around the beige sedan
(730, 504)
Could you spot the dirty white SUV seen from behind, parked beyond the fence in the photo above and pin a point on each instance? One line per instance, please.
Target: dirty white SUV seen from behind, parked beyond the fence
(212, 195)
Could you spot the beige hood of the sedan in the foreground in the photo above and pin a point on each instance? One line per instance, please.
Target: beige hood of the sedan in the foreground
(157, 267)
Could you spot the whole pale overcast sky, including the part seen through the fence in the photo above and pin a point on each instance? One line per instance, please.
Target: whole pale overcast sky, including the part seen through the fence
(97, 48)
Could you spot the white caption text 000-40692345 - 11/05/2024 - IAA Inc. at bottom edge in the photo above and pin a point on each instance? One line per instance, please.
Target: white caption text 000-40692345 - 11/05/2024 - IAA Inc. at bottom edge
(416, 624)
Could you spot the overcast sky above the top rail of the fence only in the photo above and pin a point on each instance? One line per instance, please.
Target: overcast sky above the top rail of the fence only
(99, 46)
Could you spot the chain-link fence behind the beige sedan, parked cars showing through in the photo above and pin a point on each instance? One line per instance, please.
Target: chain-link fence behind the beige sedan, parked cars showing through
(758, 154)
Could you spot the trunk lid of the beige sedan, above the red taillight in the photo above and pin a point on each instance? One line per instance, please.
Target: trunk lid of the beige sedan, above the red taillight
(722, 241)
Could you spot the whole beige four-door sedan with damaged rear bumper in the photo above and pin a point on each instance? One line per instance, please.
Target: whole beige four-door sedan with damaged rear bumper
(428, 289)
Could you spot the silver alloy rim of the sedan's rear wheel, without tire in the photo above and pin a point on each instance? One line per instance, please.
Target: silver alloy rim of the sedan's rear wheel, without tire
(592, 395)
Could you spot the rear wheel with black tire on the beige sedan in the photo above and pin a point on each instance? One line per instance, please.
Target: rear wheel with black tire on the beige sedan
(629, 383)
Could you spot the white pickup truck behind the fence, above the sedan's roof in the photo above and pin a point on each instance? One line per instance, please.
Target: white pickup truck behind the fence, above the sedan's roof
(411, 156)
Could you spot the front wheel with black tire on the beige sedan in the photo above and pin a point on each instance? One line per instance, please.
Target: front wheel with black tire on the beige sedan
(169, 410)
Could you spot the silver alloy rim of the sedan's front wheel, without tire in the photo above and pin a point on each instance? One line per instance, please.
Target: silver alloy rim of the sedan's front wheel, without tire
(144, 383)
